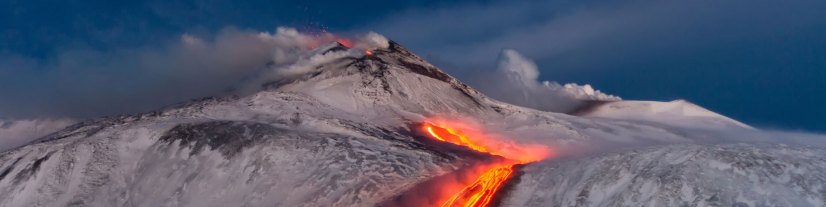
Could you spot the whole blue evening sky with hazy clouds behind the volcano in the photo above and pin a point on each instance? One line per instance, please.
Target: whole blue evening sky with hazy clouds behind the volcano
(758, 61)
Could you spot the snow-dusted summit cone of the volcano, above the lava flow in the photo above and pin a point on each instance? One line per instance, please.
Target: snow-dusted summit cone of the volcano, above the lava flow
(392, 79)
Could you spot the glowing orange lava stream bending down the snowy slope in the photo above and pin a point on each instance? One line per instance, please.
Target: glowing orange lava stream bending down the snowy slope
(481, 191)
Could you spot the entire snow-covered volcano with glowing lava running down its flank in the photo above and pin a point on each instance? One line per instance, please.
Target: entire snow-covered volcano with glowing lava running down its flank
(345, 129)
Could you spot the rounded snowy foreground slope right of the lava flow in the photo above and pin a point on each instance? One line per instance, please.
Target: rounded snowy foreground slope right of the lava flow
(679, 175)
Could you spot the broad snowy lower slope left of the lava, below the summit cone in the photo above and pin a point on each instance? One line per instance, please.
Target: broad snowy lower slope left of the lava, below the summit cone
(263, 150)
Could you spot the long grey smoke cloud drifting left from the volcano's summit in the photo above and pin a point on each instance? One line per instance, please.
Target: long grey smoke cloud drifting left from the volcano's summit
(80, 83)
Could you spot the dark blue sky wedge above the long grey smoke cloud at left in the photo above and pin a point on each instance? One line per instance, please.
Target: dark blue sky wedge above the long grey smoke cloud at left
(43, 28)
